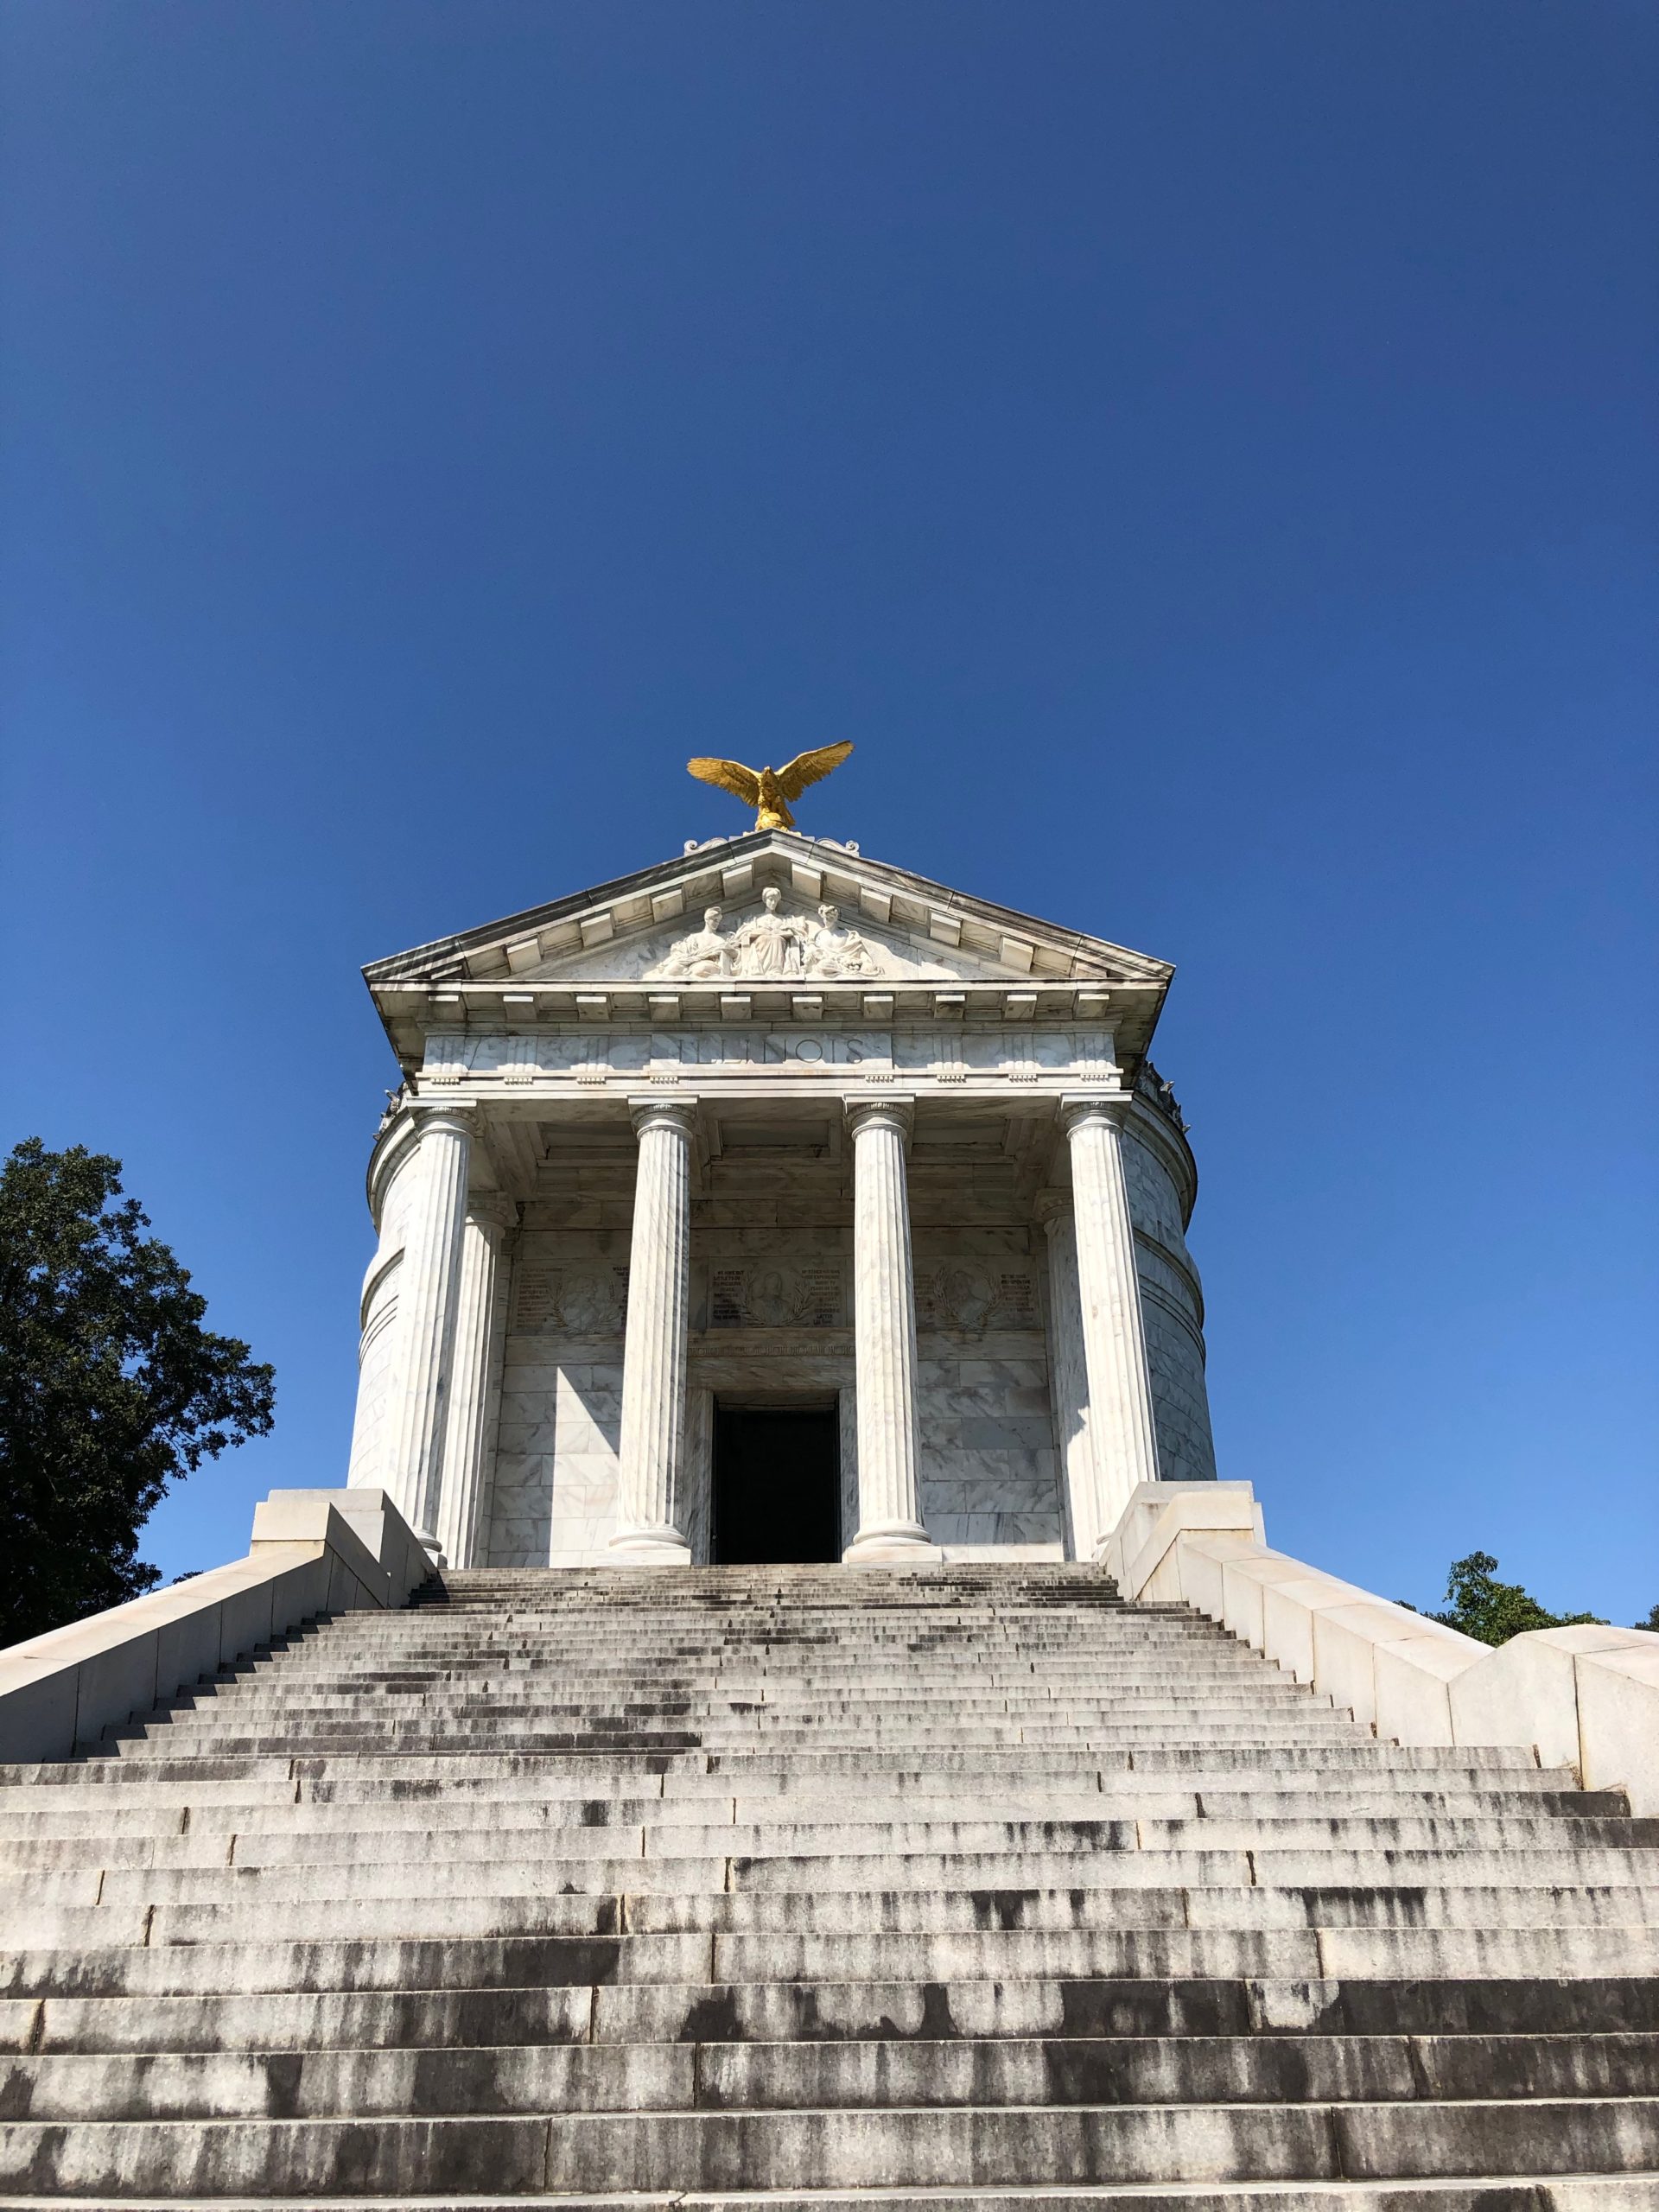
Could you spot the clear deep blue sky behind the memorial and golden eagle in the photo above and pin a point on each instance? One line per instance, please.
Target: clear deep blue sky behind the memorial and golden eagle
(1202, 452)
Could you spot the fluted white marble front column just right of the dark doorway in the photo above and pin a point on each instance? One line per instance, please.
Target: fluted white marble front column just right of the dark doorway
(890, 1494)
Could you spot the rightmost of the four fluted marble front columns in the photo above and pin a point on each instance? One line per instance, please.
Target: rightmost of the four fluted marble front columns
(1109, 1293)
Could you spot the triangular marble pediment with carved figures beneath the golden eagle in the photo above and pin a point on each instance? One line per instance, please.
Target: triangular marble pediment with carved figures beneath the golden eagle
(888, 924)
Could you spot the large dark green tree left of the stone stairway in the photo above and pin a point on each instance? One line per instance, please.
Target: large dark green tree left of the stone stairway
(109, 1388)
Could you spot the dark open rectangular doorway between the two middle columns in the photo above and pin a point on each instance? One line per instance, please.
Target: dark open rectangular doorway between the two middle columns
(778, 1485)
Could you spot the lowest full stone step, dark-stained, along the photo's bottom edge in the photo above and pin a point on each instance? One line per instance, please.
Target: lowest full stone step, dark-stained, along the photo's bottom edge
(822, 2149)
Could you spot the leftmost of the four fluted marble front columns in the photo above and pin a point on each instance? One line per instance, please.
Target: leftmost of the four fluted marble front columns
(428, 1300)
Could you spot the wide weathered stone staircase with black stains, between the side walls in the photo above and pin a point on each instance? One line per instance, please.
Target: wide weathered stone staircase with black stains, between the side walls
(811, 1886)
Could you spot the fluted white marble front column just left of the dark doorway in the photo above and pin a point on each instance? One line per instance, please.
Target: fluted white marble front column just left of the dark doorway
(654, 1353)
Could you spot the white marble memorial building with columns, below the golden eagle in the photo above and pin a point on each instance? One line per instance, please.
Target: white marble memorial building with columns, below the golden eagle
(775, 1129)
